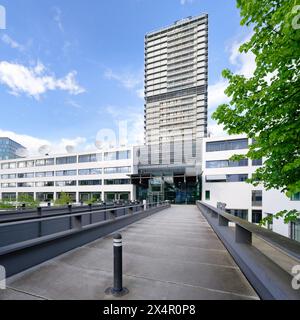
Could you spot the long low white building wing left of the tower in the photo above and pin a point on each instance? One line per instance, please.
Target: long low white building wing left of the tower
(102, 175)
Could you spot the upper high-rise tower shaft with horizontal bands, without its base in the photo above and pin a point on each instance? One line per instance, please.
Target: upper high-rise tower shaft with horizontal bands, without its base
(176, 65)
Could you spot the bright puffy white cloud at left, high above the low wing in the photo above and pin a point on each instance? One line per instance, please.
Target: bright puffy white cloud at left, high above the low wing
(35, 81)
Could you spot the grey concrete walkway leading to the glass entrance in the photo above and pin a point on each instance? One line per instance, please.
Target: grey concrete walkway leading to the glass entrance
(173, 254)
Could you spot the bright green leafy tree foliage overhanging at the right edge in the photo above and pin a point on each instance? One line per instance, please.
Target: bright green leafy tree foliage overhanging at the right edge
(265, 107)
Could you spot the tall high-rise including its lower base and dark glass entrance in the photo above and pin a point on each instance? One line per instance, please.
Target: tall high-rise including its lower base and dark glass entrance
(176, 64)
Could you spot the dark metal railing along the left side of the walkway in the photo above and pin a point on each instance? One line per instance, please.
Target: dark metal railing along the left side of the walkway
(26, 243)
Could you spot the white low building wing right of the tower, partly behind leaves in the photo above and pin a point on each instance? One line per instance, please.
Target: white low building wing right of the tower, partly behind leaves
(223, 181)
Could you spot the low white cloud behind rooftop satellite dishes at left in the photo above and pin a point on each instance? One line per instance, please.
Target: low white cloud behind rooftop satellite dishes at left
(33, 143)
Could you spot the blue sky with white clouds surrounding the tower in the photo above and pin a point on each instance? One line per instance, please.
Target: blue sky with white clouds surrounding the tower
(72, 71)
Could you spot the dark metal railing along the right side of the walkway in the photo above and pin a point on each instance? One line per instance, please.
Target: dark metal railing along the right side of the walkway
(266, 258)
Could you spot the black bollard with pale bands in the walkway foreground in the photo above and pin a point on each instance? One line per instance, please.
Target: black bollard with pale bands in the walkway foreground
(117, 289)
